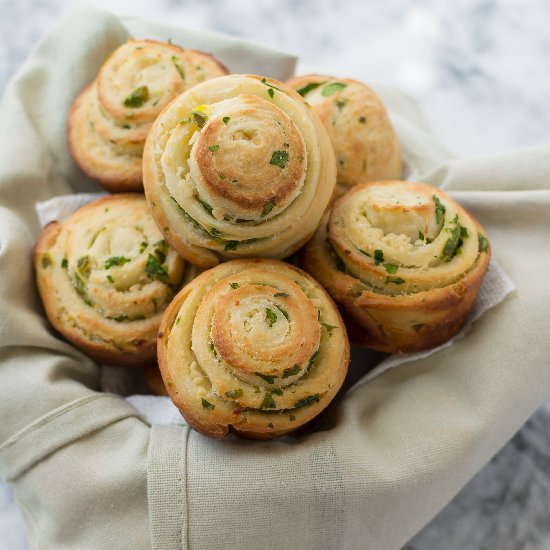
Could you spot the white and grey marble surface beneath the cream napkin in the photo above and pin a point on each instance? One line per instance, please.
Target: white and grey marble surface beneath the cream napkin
(479, 70)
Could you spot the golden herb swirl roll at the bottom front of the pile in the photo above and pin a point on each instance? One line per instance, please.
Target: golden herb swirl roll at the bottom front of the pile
(253, 346)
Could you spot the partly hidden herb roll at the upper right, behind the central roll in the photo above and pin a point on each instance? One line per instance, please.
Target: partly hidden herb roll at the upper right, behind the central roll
(365, 143)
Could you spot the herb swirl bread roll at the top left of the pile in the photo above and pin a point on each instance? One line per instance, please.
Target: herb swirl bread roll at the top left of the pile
(110, 119)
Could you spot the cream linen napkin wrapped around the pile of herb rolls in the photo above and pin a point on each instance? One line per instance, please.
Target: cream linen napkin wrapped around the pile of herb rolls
(90, 473)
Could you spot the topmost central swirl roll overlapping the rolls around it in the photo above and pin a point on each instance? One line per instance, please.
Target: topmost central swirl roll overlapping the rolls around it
(238, 166)
